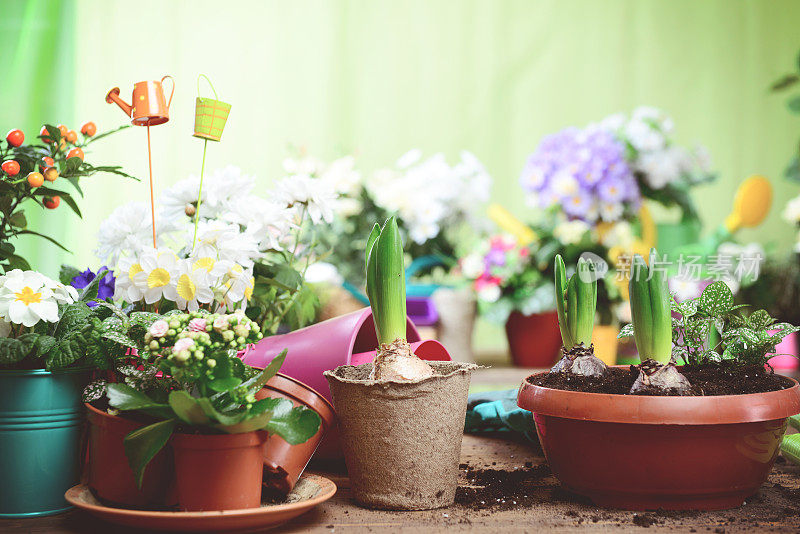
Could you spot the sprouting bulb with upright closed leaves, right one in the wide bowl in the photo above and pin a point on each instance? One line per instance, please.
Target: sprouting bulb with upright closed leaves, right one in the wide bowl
(652, 328)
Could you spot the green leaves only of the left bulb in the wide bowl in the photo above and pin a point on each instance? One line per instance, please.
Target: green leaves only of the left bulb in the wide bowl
(576, 301)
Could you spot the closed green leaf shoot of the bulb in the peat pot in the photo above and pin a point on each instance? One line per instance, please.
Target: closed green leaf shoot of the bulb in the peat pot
(386, 281)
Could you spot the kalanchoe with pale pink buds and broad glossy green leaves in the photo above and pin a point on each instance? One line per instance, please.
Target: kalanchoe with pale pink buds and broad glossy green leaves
(210, 389)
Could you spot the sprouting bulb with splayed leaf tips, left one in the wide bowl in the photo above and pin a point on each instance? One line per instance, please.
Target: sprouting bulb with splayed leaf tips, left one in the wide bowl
(576, 302)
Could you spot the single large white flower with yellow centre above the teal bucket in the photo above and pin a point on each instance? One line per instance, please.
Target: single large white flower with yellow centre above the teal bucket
(25, 298)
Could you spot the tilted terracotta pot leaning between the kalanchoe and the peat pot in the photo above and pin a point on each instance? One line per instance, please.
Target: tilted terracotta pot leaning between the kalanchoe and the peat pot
(284, 463)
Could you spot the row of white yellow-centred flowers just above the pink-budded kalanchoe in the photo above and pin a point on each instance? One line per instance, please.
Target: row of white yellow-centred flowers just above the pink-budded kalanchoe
(156, 274)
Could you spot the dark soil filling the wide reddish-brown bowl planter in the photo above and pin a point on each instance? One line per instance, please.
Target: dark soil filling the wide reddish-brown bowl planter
(708, 379)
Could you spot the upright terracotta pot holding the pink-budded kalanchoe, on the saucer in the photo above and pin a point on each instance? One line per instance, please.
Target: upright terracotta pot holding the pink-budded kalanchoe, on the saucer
(219, 472)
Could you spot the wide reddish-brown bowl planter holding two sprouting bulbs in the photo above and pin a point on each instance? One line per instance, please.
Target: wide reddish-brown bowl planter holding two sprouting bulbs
(676, 453)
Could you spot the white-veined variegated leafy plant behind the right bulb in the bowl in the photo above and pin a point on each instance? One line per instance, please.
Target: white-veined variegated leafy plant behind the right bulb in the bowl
(745, 340)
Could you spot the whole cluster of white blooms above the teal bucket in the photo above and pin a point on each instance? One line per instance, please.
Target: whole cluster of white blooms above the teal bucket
(27, 297)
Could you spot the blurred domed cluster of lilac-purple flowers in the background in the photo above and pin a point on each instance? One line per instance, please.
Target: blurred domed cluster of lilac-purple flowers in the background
(584, 171)
